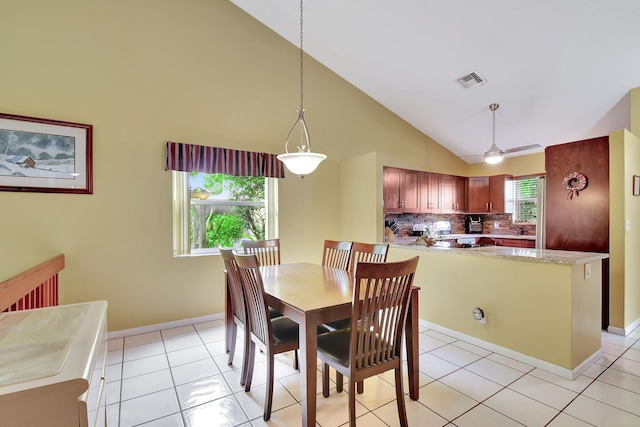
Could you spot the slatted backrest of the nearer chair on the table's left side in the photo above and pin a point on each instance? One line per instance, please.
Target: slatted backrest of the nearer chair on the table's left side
(258, 311)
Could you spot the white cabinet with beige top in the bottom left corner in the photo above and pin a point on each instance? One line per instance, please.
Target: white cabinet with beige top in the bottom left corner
(53, 366)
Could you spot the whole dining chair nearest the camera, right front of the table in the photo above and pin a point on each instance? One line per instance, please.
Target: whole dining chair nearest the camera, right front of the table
(373, 342)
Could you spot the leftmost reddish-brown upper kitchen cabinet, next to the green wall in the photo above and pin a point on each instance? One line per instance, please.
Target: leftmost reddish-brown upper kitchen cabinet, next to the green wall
(401, 191)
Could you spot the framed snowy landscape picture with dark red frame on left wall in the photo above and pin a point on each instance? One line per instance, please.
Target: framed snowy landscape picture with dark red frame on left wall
(47, 156)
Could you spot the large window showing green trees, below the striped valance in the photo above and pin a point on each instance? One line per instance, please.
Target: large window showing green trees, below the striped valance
(218, 210)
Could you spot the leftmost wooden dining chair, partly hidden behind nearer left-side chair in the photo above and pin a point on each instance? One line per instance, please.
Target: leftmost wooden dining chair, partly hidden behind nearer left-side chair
(238, 308)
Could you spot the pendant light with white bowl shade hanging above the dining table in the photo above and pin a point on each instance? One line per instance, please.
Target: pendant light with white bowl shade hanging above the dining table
(302, 162)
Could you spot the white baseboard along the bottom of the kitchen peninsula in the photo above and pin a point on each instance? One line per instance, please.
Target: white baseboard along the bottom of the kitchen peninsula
(570, 374)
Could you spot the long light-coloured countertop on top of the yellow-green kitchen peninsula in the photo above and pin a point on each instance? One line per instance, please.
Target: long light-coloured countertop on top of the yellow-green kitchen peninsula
(522, 254)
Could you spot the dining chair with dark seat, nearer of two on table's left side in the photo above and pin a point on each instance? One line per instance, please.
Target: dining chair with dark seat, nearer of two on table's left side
(272, 336)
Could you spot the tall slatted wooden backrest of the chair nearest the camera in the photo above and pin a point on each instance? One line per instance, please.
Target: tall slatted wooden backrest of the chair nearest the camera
(381, 300)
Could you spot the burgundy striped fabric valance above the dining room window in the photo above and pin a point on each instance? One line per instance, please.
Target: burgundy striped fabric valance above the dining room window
(198, 158)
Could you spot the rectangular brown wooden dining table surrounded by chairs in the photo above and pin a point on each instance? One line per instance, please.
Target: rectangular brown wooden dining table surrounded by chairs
(311, 295)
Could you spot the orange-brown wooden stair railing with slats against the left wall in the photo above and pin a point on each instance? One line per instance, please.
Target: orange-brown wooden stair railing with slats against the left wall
(34, 288)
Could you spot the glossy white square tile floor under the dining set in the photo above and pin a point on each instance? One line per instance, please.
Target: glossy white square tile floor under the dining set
(180, 377)
